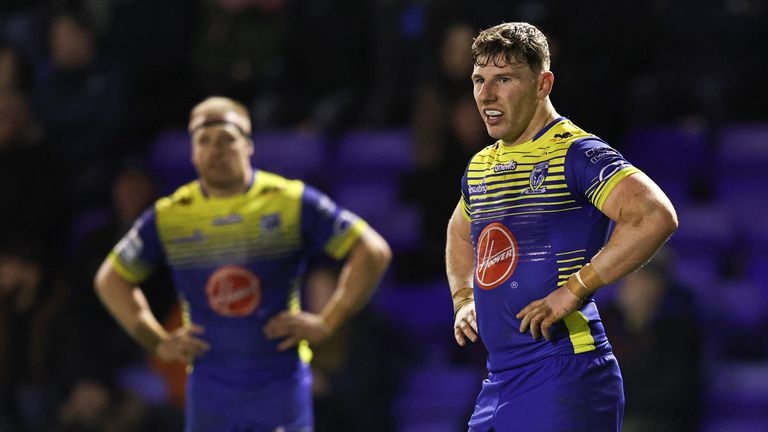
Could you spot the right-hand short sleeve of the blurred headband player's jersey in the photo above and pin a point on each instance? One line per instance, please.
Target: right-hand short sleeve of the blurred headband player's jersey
(327, 227)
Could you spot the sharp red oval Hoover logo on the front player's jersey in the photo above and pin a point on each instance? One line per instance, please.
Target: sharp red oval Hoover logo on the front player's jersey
(497, 256)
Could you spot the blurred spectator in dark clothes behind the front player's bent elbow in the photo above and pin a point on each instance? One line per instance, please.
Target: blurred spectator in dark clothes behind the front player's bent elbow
(652, 326)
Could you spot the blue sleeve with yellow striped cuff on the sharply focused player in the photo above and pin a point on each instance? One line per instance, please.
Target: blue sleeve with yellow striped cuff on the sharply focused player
(593, 169)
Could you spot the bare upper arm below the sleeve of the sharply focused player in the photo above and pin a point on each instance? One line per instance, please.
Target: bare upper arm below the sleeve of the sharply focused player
(633, 197)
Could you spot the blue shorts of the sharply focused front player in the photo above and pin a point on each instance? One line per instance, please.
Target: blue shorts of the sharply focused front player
(573, 393)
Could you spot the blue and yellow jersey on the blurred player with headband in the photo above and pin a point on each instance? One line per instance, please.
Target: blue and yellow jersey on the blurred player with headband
(237, 261)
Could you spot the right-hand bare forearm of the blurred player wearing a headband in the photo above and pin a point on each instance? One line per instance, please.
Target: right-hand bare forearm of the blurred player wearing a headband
(359, 277)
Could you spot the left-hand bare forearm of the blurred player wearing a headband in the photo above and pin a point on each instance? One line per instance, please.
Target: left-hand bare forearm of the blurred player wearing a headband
(129, 307)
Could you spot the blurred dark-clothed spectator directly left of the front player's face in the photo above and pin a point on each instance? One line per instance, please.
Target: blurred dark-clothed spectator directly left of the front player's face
(447, 132)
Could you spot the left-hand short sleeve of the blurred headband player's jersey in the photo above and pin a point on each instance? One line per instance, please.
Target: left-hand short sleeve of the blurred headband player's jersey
(139, 252)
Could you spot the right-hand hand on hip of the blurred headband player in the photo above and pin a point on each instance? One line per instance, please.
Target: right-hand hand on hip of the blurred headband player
(295, 327)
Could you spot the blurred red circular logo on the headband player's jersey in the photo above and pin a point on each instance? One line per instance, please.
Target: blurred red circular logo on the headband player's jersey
(233, 291)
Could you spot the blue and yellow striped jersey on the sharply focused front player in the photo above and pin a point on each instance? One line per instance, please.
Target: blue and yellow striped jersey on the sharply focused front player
(534, 211)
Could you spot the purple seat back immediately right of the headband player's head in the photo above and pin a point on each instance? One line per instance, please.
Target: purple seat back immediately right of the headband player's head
(292, 154)
